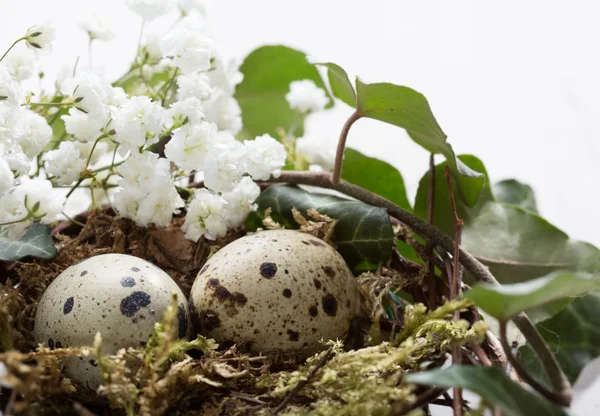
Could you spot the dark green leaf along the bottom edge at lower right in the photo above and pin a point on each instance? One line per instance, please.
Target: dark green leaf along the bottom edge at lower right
(492, 385)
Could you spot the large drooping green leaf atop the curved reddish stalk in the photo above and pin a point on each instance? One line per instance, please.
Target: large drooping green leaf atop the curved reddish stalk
(406, 108)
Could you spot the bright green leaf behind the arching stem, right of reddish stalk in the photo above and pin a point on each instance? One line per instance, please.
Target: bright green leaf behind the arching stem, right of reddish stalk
(376, 176)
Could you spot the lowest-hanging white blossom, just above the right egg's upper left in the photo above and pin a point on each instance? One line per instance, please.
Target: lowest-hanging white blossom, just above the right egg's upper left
(206, 216)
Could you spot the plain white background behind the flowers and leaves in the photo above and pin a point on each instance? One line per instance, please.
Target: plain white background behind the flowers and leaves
(515, 82)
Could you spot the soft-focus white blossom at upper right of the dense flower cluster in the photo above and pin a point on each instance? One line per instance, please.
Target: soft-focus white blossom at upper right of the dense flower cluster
(191, 51)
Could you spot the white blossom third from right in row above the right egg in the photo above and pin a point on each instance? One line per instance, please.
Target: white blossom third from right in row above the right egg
(190, 145)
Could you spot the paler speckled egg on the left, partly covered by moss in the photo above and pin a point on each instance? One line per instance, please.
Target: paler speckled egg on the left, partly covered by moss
(118, 295)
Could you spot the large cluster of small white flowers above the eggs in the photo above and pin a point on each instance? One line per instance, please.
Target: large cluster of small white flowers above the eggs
(171, 118)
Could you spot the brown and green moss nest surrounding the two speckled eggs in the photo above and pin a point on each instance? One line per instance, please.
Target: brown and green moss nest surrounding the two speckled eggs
(361, 375)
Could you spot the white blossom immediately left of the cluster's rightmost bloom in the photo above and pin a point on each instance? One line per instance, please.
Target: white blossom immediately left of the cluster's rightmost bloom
(223, 166)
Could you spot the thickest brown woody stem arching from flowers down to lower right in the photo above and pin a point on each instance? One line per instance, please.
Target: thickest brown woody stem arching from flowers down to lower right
(477, 270)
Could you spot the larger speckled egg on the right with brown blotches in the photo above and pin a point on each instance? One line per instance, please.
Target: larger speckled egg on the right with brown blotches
(275, 290)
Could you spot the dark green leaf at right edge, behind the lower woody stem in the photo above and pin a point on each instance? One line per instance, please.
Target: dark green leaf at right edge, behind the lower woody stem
(573, 335)
